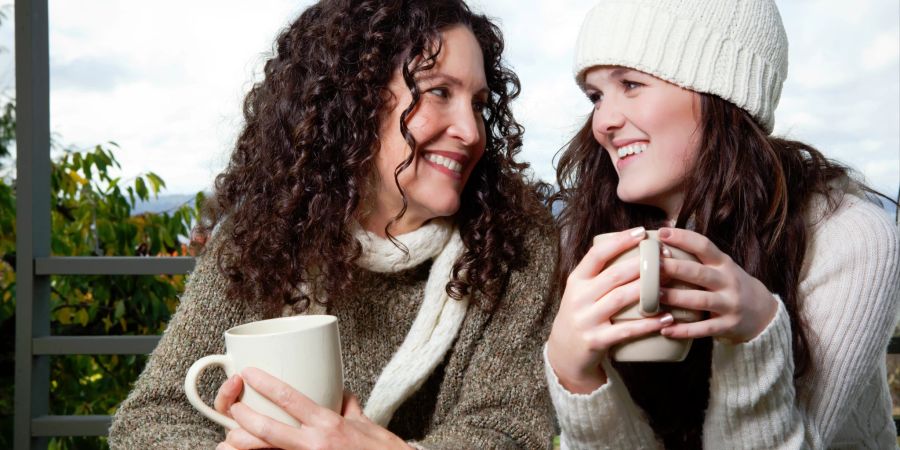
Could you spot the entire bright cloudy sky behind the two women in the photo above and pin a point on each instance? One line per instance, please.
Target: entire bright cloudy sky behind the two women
(165, 78)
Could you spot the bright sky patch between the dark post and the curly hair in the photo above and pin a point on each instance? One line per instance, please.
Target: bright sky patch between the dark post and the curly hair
(164, 79)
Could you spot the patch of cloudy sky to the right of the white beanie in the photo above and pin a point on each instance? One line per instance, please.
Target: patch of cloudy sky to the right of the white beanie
(842, 94)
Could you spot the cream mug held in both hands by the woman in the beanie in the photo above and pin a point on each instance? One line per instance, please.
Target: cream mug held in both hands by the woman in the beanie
(653, 347)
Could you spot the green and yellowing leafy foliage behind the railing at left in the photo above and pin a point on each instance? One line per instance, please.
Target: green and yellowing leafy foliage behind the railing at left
(91, 214)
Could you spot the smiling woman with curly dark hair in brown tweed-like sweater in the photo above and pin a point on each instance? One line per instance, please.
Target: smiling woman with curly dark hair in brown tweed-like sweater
(374, 180)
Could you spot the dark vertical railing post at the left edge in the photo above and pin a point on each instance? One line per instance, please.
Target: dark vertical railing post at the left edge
(32, 373)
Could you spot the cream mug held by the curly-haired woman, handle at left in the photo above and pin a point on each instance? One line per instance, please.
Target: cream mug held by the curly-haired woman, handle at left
(302, 351)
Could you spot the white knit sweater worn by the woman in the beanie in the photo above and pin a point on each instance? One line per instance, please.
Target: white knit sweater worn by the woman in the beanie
(849, 295)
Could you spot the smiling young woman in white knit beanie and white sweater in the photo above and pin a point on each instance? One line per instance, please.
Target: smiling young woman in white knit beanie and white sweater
(798, 273)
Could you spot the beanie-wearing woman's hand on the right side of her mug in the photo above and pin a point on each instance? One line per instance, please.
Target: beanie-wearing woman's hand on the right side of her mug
(740, 306)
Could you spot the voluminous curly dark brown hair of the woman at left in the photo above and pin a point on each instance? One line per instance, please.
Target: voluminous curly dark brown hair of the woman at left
(284, 208)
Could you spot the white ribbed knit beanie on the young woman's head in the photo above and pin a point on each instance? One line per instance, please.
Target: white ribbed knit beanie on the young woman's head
(735, 49)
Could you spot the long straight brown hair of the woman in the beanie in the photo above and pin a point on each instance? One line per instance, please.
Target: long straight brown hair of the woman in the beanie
(747, 192)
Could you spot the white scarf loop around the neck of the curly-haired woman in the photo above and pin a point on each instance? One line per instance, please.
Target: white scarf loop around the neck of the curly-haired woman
(381, 255)
